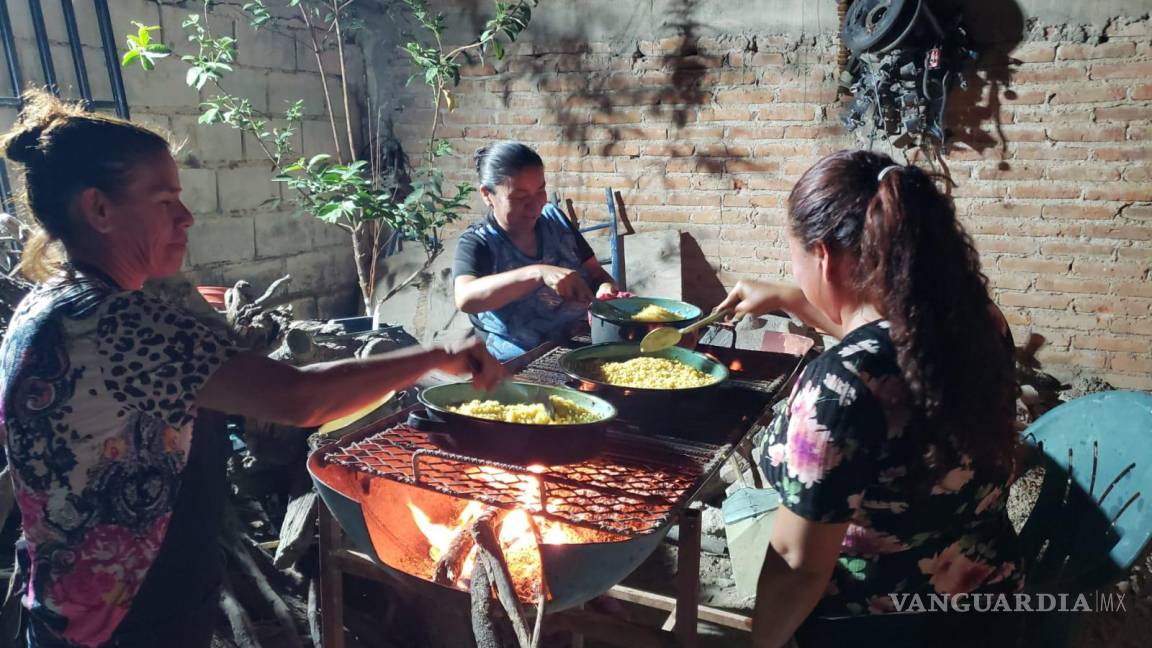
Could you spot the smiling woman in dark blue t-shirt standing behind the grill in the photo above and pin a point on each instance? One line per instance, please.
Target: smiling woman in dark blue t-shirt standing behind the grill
(525, 275)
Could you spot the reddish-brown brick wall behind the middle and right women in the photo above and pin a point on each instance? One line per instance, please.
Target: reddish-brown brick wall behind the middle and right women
(708, 135)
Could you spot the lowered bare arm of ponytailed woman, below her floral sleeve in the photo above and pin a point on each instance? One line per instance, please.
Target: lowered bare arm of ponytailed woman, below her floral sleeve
(797, 572)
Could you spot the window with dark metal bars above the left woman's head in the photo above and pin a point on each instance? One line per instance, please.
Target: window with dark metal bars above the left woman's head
(44, 32)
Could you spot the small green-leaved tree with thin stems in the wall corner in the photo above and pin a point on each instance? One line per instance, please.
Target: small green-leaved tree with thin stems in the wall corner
(351, 193)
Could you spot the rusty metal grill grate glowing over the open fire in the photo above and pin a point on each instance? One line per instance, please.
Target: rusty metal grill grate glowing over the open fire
(633, 487)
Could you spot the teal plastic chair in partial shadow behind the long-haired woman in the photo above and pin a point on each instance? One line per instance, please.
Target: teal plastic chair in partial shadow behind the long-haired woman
(1093, 521)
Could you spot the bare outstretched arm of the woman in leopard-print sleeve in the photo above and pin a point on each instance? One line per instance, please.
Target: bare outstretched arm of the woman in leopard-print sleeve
(253, 386)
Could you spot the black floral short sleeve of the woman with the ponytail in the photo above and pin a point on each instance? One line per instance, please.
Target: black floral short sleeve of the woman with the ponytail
(820, 454)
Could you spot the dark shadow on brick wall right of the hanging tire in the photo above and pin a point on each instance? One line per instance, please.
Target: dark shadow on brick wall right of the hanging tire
(995, 28)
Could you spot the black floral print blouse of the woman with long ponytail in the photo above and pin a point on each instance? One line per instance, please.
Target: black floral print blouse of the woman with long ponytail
(850, 449)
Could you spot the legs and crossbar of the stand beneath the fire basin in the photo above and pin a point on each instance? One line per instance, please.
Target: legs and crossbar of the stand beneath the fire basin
(680, 631)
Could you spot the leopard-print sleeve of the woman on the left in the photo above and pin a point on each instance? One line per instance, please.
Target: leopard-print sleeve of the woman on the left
(157, 357)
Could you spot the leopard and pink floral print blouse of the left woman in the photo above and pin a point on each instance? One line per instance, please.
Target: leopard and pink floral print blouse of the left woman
(98, 390)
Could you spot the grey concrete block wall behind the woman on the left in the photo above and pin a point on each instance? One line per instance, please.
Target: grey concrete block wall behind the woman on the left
(228, 184)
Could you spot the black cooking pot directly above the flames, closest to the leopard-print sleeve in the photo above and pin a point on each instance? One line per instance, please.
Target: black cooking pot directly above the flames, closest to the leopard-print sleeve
(521, 444)
